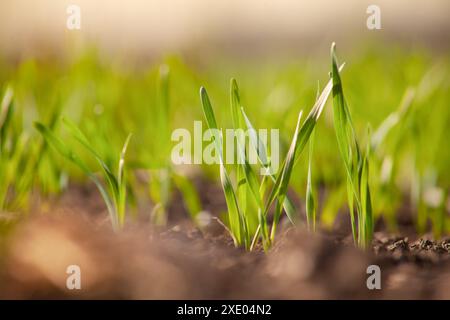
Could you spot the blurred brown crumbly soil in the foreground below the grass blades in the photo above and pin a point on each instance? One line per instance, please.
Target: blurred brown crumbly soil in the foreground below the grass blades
(181, 262)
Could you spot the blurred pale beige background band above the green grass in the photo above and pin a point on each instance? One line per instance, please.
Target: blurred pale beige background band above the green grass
(153, 27)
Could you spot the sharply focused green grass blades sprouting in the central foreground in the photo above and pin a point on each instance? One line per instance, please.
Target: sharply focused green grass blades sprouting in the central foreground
(273, 191)
